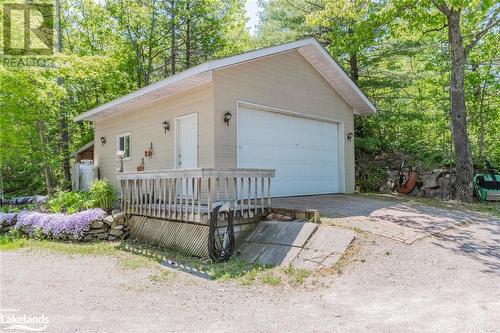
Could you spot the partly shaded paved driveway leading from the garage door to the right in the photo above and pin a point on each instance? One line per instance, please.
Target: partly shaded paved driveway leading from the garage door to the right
(475, 235)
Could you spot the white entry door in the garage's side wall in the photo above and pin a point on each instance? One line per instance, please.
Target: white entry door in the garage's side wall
(186, 135)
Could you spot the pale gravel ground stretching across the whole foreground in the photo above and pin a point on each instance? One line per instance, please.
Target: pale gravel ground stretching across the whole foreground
(446, 283)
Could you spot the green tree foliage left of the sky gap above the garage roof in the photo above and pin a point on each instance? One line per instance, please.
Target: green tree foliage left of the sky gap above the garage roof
(109, 49)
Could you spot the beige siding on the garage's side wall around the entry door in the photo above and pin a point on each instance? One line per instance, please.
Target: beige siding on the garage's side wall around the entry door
(145, 127)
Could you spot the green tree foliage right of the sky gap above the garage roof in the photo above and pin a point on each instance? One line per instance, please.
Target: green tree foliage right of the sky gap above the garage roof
(398, 53)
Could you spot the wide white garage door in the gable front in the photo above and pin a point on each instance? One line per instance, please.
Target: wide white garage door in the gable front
(304, 152)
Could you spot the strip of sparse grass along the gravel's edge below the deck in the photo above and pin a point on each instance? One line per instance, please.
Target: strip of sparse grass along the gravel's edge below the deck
(134, 255)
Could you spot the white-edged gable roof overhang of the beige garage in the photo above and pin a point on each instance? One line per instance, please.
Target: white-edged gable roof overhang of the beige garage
(196, 76)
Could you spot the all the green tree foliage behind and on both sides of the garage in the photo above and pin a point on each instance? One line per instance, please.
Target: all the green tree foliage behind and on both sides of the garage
(397, 52)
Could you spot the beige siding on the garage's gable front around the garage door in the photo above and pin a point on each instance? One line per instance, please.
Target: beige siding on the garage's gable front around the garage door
(285, 81)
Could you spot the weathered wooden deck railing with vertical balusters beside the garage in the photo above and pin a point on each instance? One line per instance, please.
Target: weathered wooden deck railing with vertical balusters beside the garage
(187, 194)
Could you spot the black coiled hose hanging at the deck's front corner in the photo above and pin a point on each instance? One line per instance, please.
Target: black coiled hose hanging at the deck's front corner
(220, 245)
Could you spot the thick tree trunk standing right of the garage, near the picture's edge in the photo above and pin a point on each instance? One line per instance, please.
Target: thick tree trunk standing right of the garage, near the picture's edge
(463, 156)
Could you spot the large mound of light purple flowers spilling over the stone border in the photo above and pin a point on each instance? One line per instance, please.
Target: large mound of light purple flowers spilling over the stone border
(58, 225)
